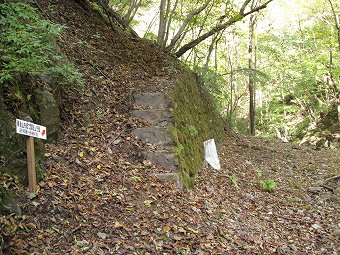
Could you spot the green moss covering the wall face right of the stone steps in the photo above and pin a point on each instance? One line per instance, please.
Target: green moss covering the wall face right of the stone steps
(195, 121)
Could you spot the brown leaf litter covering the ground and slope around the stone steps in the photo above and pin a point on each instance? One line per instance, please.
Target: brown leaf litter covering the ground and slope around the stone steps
(100, 197)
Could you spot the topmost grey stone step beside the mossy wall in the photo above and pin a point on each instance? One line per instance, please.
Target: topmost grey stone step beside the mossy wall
(153, 100)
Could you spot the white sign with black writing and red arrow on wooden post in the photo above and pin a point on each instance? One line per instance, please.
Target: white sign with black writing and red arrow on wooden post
(26, 127)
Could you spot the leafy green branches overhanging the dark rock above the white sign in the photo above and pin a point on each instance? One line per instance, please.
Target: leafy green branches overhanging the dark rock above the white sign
(28, 45)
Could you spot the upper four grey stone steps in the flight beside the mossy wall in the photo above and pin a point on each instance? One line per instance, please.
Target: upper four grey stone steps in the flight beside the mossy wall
(155, 109)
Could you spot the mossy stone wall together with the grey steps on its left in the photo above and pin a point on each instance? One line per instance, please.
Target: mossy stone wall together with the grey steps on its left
(179, 120)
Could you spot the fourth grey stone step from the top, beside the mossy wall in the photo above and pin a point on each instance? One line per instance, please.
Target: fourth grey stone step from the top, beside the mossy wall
(163, 158)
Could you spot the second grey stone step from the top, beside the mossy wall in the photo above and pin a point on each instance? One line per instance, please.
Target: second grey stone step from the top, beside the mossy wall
(160, 118)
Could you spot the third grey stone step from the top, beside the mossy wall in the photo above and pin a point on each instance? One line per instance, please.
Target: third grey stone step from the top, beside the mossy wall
(154, 135)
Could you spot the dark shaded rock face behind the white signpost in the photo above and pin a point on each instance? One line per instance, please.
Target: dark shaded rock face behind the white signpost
(37, 101)
